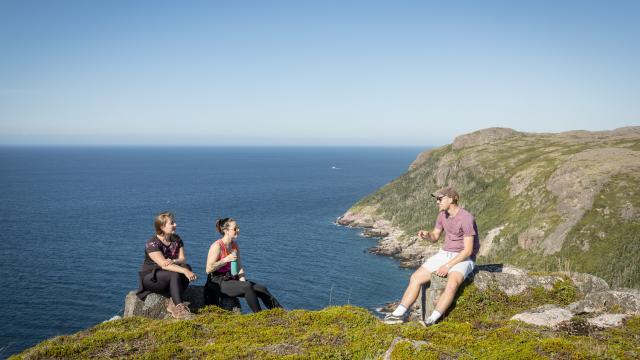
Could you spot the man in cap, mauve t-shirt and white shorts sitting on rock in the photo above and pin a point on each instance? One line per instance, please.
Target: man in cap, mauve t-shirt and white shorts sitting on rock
(455, 261)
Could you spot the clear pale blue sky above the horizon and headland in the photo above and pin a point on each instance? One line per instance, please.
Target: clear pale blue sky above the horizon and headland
(315, 73)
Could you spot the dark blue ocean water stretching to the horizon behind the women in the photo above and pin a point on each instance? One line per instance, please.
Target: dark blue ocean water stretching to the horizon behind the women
(75, 219)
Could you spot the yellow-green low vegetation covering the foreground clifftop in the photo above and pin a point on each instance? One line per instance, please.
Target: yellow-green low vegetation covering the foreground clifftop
(477, 327)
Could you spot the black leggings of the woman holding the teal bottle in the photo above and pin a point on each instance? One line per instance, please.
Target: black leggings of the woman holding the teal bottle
(248, 289)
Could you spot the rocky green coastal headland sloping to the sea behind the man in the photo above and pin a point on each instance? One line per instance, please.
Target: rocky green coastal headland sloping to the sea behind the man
(567, 201)
